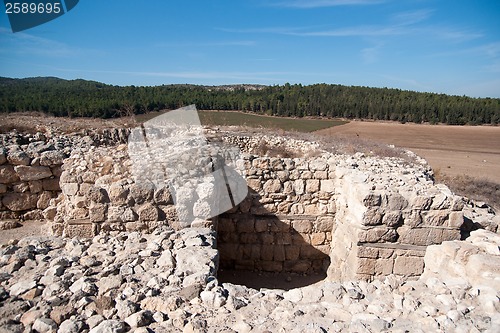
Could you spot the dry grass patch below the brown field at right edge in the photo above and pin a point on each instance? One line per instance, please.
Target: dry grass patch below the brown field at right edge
(479, 189)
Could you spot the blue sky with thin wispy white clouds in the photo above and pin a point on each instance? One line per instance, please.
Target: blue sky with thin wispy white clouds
(448, 47)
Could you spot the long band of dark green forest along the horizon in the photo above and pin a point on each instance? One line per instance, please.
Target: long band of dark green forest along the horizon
(93, 99)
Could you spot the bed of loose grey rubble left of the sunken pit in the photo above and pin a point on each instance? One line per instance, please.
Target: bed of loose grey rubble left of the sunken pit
(109, 283)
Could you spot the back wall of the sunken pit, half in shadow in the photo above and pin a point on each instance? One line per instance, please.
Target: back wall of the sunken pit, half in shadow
(286, 222)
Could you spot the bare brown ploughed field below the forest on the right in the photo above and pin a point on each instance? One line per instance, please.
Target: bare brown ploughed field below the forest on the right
(454, 150)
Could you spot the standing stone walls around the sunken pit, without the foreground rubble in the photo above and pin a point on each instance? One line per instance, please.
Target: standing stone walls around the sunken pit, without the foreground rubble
(352, 217)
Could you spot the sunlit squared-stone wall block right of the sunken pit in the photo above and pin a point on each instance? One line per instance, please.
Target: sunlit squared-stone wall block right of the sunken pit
(390, 219)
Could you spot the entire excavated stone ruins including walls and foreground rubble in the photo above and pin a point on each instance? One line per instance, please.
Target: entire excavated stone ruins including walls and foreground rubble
(140, 237)
